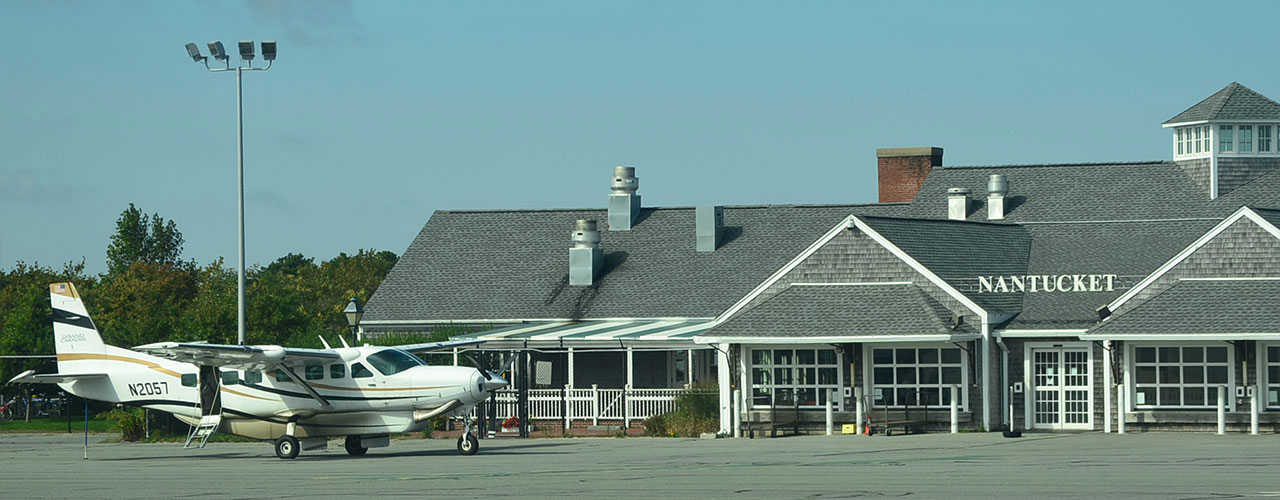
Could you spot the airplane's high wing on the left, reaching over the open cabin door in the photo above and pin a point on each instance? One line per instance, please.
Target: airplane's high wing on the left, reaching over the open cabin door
(239, 357)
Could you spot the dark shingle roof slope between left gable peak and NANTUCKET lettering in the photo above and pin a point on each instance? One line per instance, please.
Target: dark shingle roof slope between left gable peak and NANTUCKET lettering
(959, 253)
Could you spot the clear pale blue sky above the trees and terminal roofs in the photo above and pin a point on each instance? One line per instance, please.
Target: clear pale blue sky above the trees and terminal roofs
(380, 113)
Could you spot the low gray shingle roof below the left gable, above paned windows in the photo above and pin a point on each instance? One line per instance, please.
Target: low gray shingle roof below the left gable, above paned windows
(826, 311)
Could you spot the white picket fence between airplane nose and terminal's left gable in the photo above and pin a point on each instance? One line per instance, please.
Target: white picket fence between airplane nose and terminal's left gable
(593, 405)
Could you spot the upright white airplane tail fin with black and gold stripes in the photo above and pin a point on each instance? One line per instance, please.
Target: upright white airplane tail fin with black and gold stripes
(80, 347)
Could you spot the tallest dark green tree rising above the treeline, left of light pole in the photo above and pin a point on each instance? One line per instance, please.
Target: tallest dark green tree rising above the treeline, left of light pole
(143, 238)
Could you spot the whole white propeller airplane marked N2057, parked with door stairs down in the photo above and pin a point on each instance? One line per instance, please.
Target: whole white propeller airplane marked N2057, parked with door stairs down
(298, 398)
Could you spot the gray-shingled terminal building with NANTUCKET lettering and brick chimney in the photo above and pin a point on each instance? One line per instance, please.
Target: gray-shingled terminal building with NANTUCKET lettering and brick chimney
(1059, 296)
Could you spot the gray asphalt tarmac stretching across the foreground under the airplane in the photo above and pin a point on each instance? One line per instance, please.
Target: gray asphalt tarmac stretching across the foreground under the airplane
(936, 466)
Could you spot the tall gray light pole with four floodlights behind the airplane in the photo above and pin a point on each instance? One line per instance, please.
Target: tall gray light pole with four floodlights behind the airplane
(220, 53)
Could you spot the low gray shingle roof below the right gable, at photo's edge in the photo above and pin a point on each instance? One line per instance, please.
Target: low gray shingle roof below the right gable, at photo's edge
(1203, 308)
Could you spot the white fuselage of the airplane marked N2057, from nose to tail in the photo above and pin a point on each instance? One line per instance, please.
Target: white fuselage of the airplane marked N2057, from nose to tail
(362, 398)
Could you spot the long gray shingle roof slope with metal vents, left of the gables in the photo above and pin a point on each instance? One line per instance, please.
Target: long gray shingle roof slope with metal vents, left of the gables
(514, 265)
